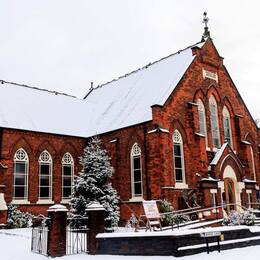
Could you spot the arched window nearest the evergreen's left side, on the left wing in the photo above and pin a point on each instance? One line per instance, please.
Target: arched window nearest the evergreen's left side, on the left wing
(67, 175)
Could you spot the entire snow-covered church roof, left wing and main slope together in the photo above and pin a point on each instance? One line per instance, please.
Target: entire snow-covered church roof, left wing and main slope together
(117, 104)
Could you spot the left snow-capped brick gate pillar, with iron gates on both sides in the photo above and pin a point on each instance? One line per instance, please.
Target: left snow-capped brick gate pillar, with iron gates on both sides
(57, 230)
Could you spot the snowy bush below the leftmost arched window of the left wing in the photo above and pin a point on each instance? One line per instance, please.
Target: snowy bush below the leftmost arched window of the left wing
(17, 218)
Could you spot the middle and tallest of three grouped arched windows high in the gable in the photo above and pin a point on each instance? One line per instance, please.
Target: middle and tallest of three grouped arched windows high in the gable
(214, 122)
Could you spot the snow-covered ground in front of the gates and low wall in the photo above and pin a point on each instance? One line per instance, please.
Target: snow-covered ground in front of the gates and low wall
(15, 245)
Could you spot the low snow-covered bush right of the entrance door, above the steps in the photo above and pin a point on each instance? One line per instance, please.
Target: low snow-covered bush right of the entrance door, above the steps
(235, 218)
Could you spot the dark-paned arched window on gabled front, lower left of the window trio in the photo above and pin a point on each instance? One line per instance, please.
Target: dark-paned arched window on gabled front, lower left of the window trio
(178, 157)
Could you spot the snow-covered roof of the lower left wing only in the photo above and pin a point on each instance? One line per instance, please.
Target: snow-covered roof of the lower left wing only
(41, 111)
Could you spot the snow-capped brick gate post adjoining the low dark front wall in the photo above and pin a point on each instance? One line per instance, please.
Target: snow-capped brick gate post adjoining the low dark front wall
(96, 224)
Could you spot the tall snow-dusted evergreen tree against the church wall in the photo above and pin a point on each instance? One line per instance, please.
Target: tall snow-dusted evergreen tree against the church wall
(92, 184)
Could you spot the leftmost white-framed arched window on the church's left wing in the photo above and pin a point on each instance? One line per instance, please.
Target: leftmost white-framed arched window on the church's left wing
(21, 165)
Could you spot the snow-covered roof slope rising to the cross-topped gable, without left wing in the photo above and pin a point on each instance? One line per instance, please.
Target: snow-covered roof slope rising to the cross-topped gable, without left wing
(128, 100)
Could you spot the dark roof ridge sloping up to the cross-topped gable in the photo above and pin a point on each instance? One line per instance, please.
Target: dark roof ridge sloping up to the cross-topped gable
(139, 69)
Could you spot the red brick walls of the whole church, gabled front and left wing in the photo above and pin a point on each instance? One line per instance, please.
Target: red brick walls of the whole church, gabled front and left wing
(179, 112)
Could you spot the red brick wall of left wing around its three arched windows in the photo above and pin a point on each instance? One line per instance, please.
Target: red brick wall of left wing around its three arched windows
(34, 143)
